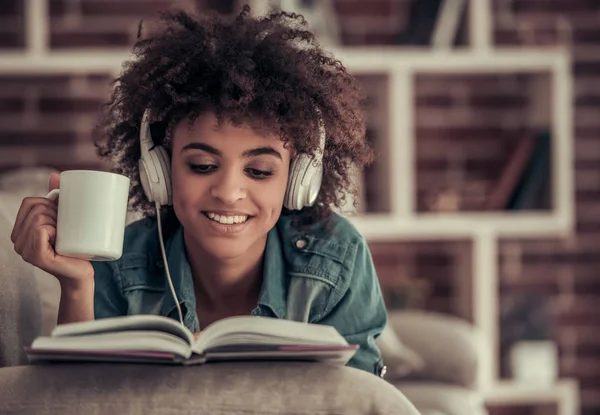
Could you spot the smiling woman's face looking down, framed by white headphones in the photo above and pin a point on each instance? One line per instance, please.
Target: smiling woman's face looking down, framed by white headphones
(228, 185)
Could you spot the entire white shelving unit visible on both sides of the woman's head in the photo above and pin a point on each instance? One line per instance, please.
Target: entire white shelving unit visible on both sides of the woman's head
(403, 223)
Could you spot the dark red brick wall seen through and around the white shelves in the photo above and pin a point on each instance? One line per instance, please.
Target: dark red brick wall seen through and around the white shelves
(465, 127)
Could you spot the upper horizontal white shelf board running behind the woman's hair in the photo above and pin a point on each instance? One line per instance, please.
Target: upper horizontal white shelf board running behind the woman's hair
(357, 59)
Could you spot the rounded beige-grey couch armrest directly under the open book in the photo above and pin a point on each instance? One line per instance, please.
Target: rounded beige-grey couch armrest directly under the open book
(217, 388)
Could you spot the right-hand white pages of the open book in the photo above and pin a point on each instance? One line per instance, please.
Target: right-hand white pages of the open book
(253, 330)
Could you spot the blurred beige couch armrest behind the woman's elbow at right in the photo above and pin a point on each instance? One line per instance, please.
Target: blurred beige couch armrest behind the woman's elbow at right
(448, 345)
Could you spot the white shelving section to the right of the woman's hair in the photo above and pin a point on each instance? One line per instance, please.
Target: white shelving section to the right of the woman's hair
(483, 229)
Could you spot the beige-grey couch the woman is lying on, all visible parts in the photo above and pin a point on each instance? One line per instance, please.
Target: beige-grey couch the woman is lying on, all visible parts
(437, 381)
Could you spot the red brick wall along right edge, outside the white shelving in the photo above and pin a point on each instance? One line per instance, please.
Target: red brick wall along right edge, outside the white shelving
(567, 270)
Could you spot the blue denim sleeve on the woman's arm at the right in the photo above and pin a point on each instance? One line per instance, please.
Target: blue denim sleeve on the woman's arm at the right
(360, 314)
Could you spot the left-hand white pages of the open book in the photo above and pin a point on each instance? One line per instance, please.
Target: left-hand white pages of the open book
(145, 322)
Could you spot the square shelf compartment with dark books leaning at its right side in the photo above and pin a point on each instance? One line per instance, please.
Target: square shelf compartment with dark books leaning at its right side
(511, 113)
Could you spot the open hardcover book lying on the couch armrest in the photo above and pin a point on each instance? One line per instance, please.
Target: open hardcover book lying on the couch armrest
(157, 339)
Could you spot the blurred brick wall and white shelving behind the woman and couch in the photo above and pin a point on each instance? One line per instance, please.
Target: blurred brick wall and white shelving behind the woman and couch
(483, 202)
